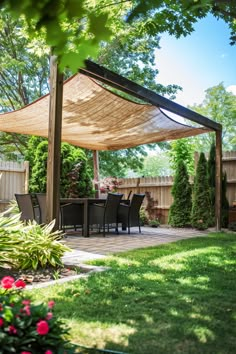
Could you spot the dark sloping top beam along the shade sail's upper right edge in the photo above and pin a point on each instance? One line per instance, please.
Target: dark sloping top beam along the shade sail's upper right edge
(114, 80)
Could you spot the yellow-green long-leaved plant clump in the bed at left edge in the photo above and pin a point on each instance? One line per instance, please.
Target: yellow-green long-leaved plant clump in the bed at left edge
(29, 246)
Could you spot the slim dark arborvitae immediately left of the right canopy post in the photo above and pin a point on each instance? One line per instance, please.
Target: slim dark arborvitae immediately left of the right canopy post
(211, 168)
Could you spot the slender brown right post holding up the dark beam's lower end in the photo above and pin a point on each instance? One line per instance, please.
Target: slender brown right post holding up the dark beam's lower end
(218, 190)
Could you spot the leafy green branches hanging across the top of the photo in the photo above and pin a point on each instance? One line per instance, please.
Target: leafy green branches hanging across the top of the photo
(75, 29)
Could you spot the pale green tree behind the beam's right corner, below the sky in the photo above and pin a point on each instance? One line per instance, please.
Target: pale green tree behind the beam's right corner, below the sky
(220, 106)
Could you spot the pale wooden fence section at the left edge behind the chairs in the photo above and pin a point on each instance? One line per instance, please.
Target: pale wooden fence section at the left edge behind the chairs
(14, 178)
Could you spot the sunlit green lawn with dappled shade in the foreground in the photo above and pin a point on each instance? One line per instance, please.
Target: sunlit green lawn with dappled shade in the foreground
(174, 298)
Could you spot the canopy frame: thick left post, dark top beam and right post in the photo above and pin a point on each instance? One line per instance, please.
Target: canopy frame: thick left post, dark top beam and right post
(114, 80)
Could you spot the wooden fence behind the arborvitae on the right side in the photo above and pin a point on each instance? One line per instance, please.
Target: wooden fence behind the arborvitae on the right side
(159, 188)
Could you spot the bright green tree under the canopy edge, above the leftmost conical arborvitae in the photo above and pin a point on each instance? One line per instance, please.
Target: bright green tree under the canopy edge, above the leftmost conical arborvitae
(182, 149)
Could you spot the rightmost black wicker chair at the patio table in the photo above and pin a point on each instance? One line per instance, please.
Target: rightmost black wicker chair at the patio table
(128, 215)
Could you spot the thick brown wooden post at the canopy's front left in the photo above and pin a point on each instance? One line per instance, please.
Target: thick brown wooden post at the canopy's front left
(54, 143)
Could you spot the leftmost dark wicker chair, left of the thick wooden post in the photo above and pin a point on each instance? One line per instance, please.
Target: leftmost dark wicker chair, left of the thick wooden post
(29, 212)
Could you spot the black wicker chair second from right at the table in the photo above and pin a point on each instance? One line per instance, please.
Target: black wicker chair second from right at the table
(105, 215)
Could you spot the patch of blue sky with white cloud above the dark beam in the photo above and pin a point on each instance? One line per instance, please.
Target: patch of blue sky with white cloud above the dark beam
(199, 61)
